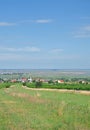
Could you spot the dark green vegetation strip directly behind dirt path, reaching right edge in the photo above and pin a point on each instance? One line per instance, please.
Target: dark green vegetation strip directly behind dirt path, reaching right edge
(58, 86)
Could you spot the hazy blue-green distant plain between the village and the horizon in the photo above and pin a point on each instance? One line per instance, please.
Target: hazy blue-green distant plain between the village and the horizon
(44, 73)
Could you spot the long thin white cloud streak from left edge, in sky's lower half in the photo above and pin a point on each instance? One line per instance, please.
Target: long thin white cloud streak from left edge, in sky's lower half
(24, 49)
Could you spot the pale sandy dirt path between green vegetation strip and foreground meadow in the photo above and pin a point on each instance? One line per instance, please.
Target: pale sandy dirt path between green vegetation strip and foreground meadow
(59, 90)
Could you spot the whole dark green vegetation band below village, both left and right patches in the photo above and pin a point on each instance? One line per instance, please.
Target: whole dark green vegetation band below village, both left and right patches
(39, 84)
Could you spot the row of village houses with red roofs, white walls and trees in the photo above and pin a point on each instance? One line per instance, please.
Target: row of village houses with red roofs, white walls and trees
(30, 80)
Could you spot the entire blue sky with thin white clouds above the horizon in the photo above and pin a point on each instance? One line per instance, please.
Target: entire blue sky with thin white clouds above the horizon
(44, 34)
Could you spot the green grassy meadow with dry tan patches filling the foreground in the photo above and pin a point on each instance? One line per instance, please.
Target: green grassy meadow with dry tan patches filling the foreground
(43, 110)
